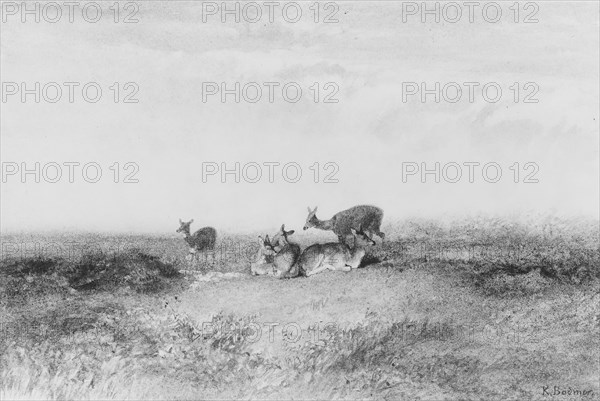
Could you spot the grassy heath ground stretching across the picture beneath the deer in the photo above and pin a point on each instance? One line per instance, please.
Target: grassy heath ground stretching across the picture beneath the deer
(482, 309)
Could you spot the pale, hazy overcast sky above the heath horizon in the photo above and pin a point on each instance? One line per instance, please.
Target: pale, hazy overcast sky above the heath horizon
(368, 134)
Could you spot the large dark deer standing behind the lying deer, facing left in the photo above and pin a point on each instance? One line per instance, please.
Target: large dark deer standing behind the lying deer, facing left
(366, 216)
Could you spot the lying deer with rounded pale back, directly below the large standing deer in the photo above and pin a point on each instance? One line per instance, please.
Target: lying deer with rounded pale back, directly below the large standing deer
(335, 255)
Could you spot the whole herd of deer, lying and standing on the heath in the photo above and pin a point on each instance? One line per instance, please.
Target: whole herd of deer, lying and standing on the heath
(284, 259)
